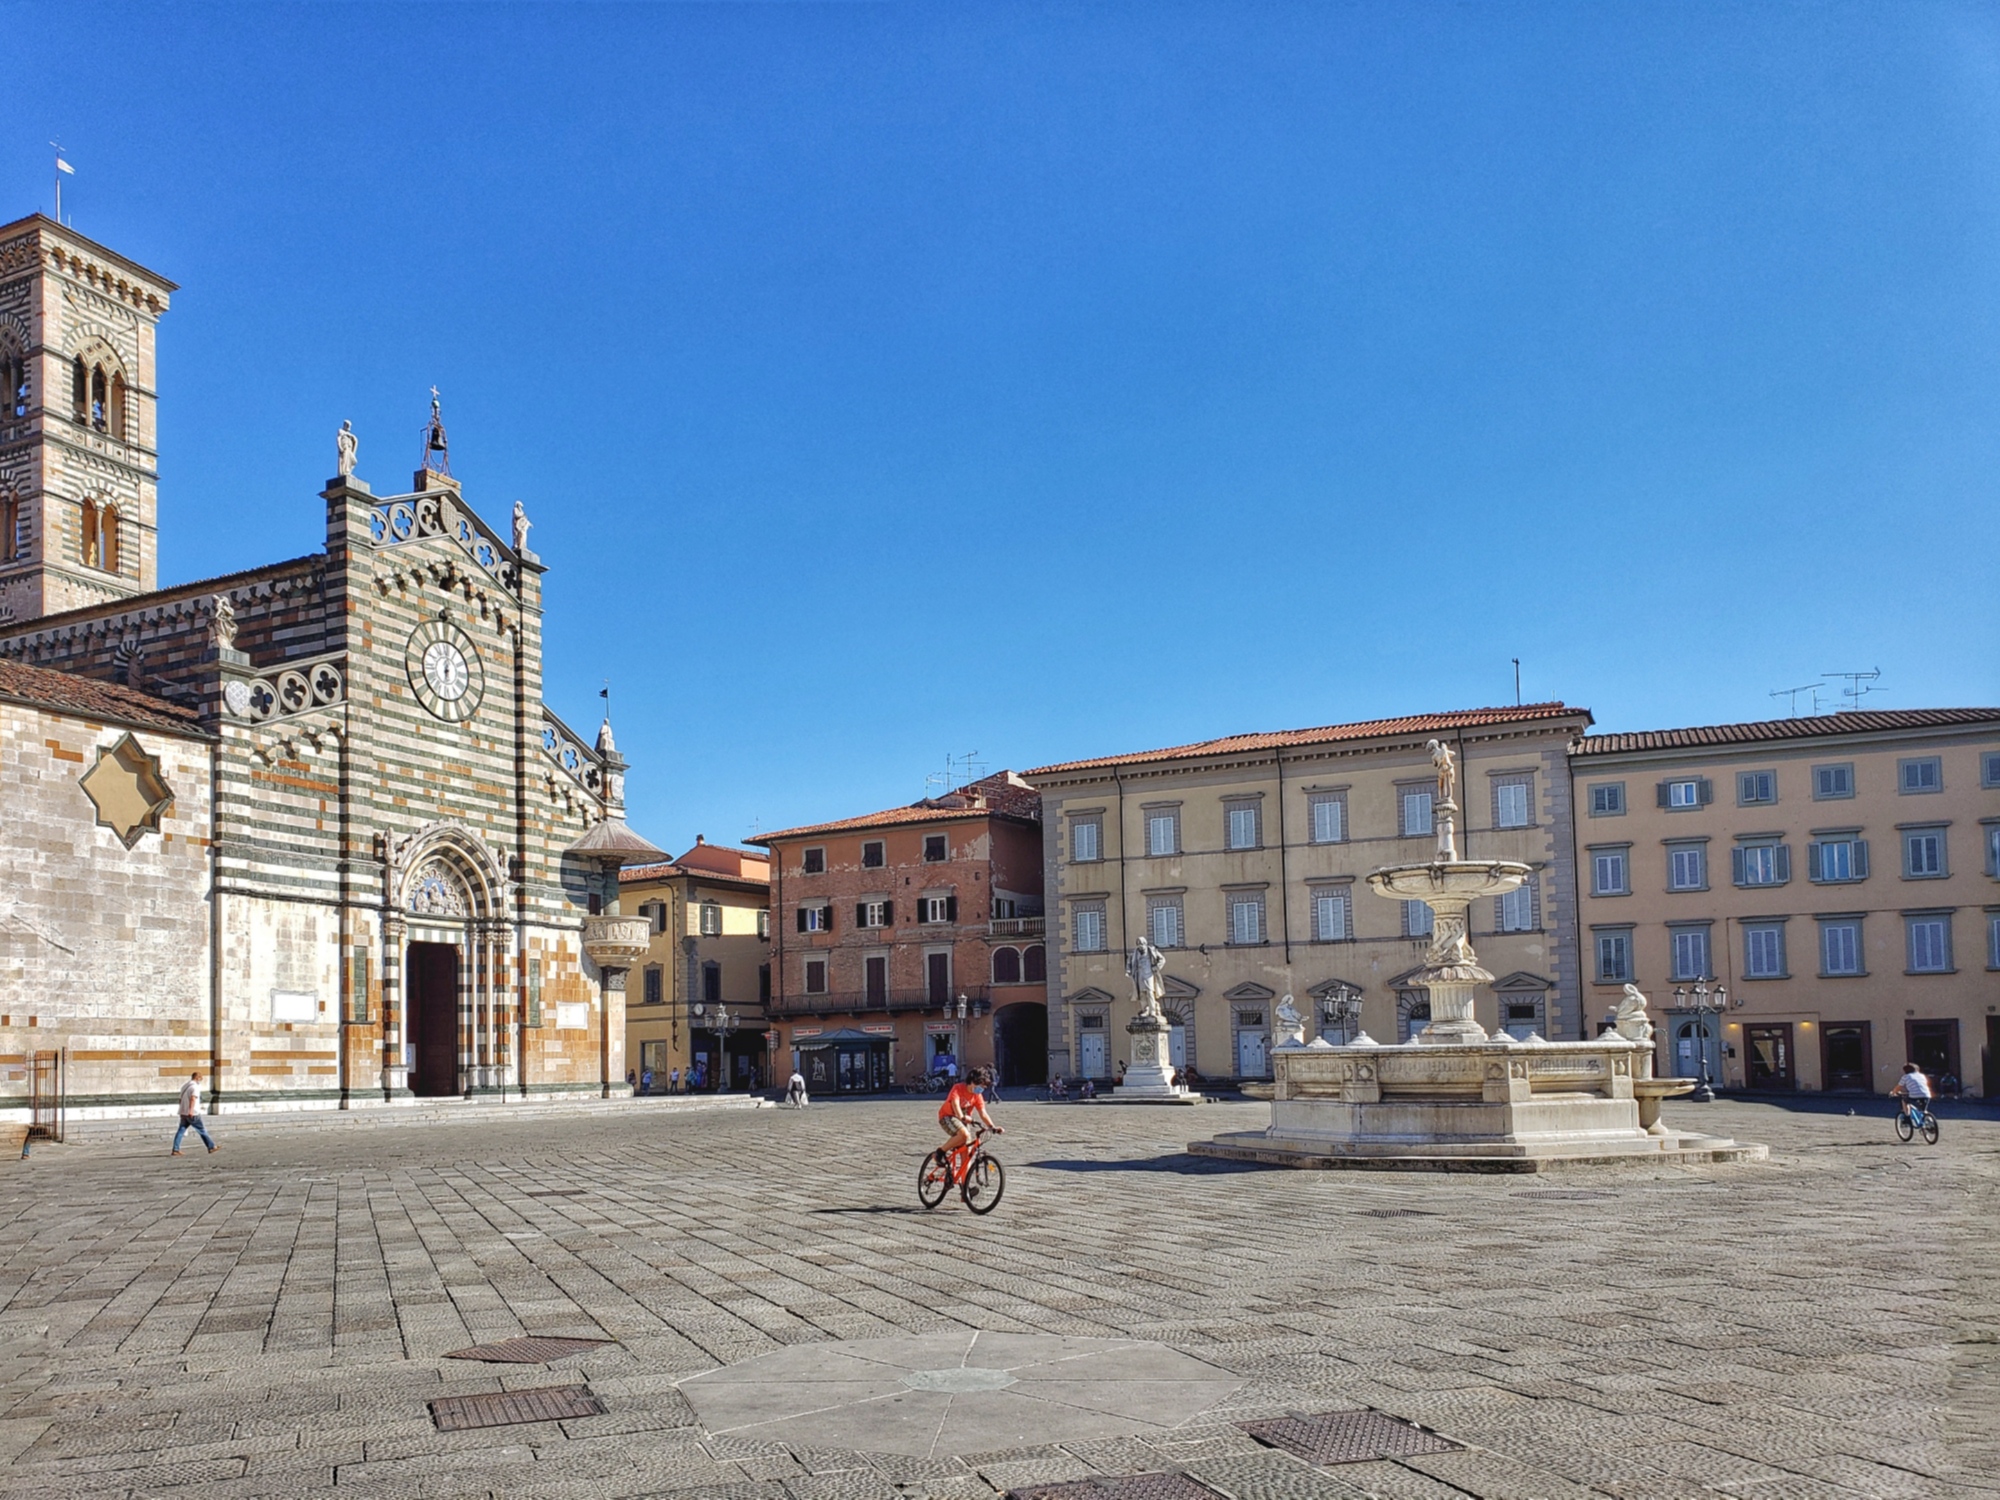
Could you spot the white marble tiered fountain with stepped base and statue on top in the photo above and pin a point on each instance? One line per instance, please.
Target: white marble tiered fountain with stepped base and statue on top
(1453, 1097)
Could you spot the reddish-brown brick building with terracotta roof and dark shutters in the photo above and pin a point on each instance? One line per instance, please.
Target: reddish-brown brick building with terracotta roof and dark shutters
(883, 925)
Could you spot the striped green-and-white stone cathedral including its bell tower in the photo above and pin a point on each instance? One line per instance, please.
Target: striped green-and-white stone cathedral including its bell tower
(307, 829)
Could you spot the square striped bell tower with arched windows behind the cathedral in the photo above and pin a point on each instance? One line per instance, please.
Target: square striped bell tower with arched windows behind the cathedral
(79, 433)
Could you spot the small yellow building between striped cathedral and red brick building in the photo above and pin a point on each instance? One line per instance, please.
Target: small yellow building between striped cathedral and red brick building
(709, 915)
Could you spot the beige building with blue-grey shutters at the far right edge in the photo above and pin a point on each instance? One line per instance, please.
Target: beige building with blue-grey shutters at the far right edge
(1839, 877)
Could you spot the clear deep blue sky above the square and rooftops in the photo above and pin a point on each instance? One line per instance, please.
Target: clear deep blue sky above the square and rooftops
(901, 381)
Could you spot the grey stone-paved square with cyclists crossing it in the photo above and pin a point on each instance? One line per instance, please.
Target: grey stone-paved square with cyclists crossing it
(273, 1321)
